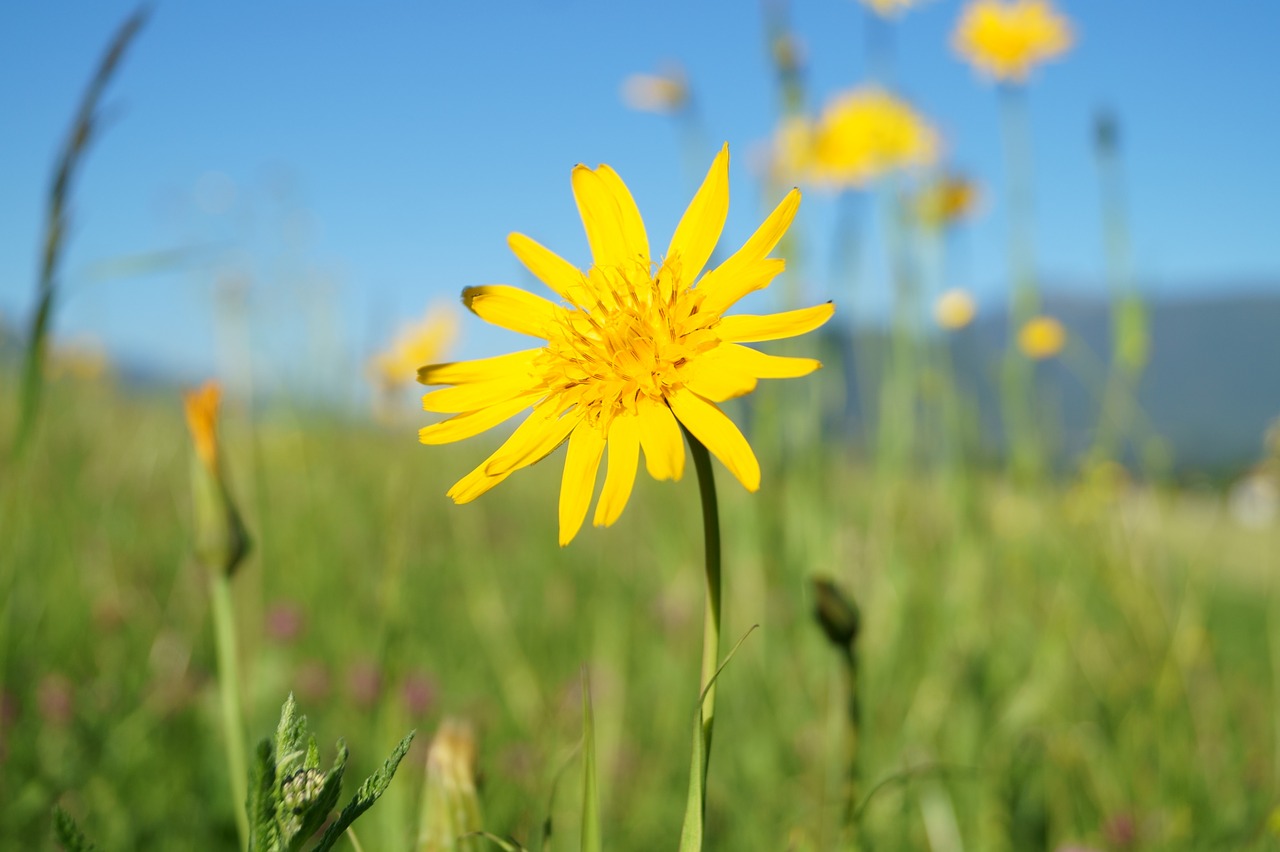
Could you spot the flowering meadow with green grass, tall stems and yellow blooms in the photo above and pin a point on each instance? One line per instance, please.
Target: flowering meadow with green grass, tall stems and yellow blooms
(939, 626)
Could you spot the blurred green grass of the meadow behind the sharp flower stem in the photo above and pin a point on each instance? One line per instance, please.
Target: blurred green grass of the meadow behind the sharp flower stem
(1054, 663)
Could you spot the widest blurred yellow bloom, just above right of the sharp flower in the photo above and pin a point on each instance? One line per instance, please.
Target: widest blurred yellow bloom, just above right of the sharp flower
(861, 136)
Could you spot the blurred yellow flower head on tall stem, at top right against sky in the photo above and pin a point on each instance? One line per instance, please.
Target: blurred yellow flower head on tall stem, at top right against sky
(1007, 40)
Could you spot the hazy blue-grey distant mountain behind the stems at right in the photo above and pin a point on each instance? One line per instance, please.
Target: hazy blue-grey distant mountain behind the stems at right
(1212, 387)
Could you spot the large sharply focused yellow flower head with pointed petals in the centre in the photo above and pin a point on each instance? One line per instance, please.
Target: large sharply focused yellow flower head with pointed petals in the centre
(638, 351)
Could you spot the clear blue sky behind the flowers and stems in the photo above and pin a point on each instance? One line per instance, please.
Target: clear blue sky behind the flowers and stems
(354, 163)
